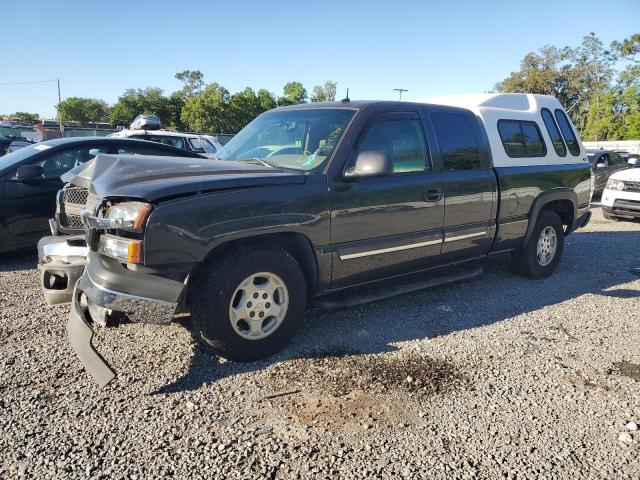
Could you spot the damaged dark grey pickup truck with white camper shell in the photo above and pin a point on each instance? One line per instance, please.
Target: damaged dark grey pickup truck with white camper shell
(315, 199)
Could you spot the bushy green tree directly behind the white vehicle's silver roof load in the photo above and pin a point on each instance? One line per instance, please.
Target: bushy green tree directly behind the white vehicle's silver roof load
(139, 101)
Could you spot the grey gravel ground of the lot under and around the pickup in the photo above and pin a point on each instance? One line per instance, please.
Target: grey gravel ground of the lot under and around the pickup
(498, 377)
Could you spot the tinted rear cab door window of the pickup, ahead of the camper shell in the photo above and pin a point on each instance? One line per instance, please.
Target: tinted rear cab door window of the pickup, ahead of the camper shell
(459, 145)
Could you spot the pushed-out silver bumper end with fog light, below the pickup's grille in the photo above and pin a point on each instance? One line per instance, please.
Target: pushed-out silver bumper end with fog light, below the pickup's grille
(61, 260)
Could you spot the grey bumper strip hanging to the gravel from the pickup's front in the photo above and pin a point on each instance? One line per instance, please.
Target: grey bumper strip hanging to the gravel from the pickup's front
(80, 334)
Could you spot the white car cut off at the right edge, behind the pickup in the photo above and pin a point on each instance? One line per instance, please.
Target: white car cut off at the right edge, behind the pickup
(621, 196)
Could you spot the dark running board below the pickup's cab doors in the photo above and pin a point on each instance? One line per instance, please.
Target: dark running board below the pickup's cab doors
(389, 289)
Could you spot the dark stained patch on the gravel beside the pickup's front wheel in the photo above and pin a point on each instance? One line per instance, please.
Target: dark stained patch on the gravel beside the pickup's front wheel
(339, 373)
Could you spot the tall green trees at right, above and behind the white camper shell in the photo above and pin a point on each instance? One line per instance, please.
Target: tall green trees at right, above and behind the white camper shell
(601, 104)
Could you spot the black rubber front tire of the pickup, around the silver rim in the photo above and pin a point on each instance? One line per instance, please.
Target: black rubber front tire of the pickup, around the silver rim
(211, 299)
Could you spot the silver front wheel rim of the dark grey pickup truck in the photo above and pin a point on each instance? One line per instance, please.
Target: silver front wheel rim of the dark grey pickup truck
(258, 306)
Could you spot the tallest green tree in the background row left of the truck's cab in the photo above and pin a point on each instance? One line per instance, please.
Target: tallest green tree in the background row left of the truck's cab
(208, 112)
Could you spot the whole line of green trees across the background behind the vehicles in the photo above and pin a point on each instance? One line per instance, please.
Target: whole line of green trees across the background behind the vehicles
(599, 87)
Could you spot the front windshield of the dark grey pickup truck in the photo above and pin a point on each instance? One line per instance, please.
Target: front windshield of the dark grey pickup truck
(295, 139)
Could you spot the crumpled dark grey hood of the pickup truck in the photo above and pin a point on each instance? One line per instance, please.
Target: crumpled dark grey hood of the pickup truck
(153, 178)
